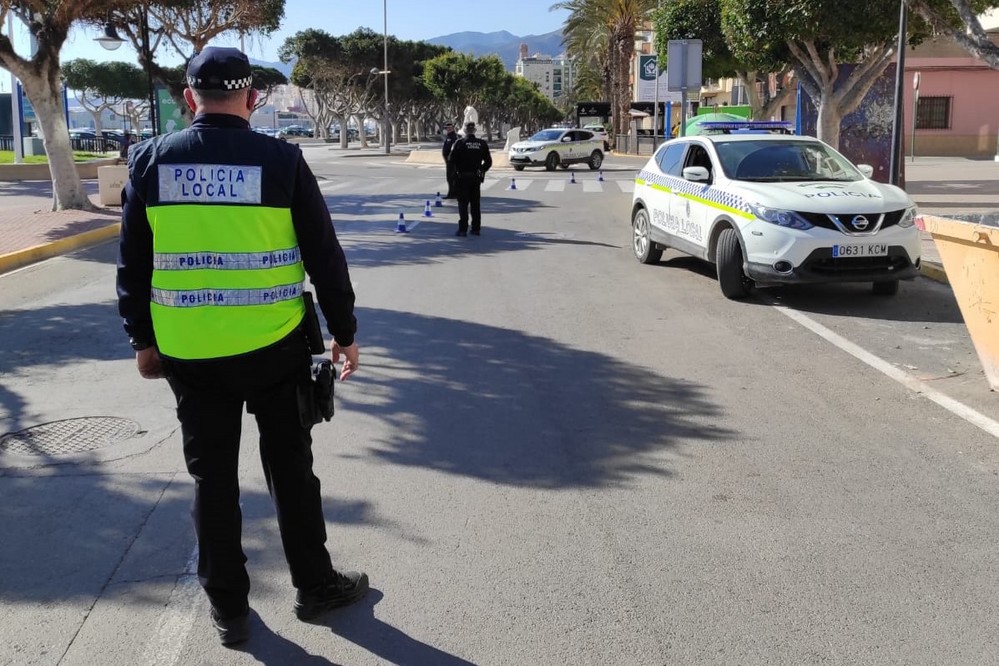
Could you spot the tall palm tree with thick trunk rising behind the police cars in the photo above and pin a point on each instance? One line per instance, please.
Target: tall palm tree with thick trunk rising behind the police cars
(604, 30)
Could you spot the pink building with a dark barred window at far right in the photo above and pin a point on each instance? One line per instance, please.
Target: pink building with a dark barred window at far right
(958, 107)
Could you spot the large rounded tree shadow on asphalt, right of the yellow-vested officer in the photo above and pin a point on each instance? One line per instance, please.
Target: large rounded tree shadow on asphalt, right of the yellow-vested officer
(512, 408)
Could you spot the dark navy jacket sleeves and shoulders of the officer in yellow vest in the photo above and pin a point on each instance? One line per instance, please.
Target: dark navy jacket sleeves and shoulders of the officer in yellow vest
(287, 182)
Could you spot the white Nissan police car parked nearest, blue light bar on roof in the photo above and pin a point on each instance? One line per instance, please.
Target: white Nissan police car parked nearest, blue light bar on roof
(771, 209)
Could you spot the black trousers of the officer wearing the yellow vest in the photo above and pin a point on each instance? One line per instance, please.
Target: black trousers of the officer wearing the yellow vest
(210, 399)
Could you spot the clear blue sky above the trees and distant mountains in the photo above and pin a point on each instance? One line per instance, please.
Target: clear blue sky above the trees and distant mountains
(407, 19)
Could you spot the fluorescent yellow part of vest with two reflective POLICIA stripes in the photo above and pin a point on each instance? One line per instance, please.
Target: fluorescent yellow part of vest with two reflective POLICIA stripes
(227, 279)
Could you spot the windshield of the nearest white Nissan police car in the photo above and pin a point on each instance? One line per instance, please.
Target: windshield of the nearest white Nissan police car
(783, 161)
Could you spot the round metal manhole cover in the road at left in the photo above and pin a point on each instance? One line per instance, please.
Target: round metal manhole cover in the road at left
(69, 436)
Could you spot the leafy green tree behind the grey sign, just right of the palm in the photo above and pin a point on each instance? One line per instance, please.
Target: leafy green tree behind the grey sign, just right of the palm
(701, 19)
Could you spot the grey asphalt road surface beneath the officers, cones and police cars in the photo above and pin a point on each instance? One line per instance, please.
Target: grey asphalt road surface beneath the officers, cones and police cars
(551, 454)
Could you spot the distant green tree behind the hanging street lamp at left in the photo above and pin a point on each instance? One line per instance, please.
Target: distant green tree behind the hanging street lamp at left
(105, 85)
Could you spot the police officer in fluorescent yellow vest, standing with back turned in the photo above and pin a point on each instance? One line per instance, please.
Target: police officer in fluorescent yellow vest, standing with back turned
(220, 225)
